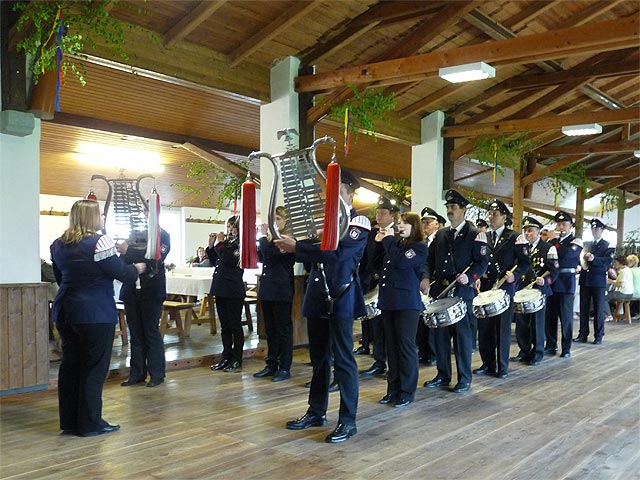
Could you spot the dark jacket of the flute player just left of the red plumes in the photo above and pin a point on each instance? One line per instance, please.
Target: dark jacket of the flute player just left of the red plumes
(227, 277)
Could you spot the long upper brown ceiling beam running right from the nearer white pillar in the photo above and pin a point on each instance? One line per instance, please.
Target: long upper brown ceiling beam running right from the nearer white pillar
(597, 37)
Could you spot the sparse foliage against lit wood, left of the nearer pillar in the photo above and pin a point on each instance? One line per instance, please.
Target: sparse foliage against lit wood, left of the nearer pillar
(213, 182)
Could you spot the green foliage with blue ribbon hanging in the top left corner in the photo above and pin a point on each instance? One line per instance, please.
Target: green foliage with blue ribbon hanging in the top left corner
(83, 20)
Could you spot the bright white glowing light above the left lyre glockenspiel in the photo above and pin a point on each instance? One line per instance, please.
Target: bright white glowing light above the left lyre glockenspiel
(119, 157)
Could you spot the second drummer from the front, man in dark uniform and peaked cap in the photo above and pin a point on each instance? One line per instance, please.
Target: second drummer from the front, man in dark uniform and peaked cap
(506, 249)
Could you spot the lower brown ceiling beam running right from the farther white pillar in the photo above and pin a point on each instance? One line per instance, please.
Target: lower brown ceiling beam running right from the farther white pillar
(538, 124)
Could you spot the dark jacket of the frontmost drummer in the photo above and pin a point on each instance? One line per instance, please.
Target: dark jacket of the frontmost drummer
(448, 257)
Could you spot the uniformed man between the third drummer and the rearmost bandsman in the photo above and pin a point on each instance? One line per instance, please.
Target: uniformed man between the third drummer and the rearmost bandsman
(564, 288)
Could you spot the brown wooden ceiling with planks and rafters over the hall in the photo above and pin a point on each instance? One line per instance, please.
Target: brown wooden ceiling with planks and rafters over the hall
(202, 71)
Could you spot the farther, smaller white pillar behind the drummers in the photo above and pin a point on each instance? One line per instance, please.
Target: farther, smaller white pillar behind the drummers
(427, 161)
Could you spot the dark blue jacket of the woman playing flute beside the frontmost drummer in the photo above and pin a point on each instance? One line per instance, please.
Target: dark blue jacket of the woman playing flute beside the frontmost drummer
(401, 273)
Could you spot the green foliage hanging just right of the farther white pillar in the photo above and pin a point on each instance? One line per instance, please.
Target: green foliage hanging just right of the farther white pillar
(510, 151)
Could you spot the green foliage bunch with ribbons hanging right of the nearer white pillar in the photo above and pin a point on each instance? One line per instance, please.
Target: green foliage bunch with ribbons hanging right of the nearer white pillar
(364, 108)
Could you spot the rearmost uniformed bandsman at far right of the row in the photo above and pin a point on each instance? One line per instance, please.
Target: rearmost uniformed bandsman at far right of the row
(596, 260)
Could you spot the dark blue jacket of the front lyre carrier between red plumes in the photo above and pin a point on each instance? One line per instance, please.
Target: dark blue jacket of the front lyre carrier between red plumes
(340, 268)
